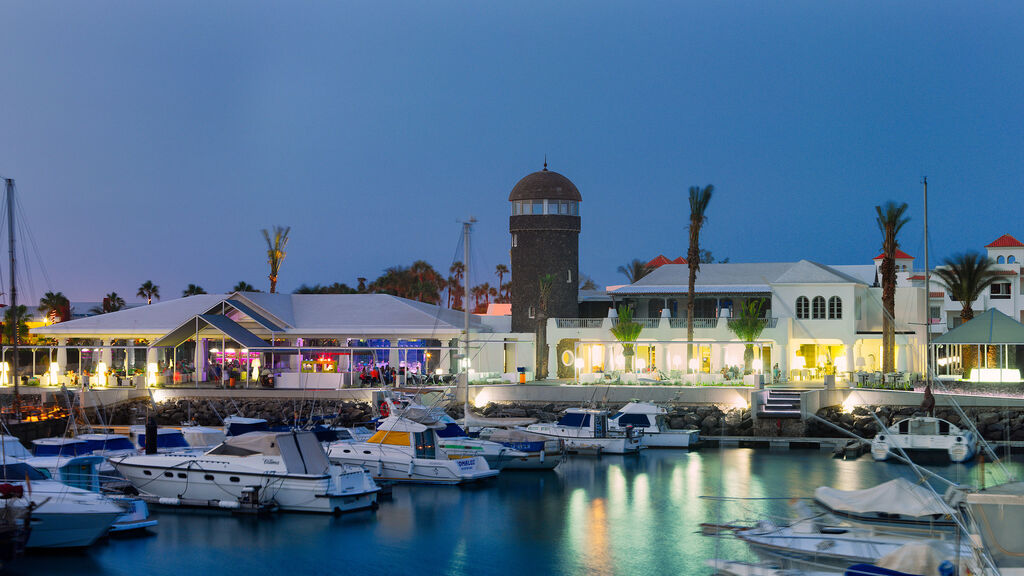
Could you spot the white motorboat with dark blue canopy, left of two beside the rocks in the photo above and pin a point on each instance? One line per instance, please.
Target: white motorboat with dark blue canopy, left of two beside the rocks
(586, 430)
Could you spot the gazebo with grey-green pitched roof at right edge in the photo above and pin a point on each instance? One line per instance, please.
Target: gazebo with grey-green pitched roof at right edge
(991, 330)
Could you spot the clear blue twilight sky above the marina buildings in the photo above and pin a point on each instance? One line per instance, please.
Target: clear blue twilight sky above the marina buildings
(153, 141)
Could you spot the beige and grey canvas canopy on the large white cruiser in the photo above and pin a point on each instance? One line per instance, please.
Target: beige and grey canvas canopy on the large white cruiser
(300, 450)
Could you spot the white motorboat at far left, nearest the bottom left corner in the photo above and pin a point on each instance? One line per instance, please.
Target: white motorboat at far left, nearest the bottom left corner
(63, 517)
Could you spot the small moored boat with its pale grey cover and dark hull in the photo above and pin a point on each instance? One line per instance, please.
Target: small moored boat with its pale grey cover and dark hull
(898, 504)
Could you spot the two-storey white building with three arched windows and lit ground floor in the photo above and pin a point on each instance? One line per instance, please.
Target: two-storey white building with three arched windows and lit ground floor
(822, 320)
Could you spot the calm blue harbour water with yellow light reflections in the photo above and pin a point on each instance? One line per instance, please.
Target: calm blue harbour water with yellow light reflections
(629, 515)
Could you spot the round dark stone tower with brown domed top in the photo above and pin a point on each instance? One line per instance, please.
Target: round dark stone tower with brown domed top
(545, 227)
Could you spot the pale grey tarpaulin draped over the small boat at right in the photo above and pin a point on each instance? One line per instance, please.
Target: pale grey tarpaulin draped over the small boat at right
(895, 498)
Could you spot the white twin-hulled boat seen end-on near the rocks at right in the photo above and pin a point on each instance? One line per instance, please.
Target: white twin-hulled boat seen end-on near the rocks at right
(925, 436)
